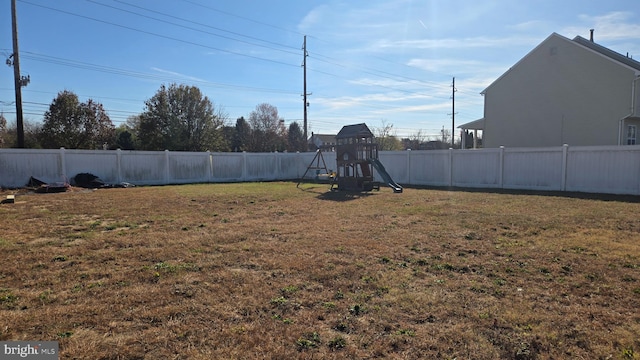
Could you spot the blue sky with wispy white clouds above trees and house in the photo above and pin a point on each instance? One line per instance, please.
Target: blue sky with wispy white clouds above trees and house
(379, 62)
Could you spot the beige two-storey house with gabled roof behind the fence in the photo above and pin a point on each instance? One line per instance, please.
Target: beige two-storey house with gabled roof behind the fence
(564, 91)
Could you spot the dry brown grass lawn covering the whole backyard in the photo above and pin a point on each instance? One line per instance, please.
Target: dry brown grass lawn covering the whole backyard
(266, 270)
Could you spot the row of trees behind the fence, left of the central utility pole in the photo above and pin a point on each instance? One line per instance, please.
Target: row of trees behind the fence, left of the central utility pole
(176, 118)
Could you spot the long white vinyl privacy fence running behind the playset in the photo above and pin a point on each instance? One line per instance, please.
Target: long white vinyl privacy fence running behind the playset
(610, 169)
